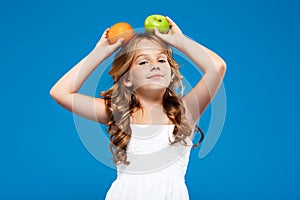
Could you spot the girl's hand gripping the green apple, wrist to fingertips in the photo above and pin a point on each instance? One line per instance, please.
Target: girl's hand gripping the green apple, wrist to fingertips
(173, 35)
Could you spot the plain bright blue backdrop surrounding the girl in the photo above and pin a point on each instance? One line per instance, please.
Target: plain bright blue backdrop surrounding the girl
(257, 155)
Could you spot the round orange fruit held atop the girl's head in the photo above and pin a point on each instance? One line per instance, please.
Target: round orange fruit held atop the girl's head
(120, 30)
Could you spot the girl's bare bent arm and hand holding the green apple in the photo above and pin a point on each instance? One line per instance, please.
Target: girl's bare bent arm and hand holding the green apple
(213, 66)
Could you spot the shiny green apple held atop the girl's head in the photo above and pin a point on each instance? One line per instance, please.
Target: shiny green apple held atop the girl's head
(156, 21)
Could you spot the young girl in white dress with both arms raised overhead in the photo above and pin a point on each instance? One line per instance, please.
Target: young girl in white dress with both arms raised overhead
(150, 126)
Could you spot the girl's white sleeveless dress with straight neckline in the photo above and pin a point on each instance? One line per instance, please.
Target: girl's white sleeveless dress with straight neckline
(157, 169)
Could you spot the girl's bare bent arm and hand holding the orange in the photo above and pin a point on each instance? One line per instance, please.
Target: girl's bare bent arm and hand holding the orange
(65, 90)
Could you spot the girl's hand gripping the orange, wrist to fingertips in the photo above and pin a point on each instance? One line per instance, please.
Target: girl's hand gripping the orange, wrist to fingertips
(104, 45)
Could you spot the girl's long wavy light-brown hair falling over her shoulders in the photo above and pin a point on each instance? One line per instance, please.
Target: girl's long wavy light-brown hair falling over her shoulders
(121, 101)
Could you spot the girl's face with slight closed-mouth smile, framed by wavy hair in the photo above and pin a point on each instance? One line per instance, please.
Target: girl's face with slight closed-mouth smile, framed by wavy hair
(150, 69)
